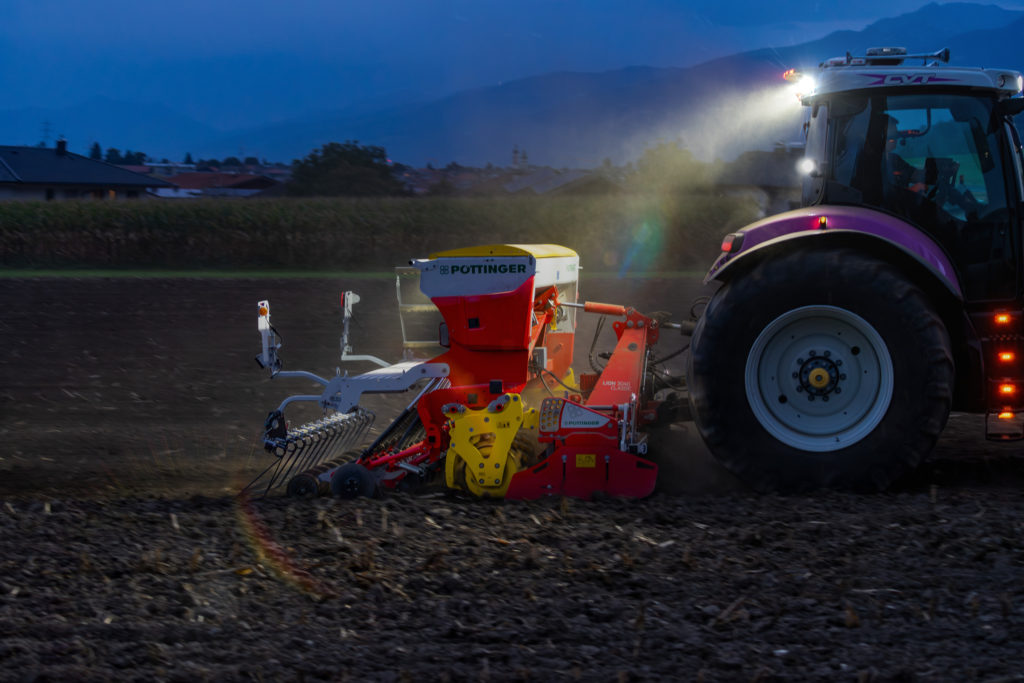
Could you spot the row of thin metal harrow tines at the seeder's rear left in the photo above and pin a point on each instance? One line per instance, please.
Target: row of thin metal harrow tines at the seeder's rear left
(310, 445)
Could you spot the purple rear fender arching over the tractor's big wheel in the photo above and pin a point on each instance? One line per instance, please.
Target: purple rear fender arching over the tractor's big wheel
(835, 226)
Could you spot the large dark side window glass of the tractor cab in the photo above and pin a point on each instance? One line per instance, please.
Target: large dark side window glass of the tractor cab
(933, 160)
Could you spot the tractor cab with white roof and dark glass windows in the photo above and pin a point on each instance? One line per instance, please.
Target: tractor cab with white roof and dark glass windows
(933, 146)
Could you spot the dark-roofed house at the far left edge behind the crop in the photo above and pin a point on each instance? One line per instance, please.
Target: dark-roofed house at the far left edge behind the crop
(52, 174)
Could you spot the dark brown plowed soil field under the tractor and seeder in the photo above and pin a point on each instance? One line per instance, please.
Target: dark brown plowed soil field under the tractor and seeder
(130, 416)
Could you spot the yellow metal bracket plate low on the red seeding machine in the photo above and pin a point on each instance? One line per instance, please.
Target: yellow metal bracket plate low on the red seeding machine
(490, 446)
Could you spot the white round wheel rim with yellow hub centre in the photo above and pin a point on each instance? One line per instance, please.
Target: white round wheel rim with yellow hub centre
(820, 378)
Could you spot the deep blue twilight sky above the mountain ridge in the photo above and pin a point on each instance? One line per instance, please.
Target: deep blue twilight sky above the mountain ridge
(239, 63)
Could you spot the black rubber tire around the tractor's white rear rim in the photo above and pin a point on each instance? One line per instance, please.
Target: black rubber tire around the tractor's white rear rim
(846, 278)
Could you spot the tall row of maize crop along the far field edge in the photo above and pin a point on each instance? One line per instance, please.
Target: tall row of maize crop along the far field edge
(643, 233)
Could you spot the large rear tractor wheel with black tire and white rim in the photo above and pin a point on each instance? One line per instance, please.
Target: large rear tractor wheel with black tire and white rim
(821, 369)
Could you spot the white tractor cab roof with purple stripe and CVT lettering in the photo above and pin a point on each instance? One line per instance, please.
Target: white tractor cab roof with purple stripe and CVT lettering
(887, 68)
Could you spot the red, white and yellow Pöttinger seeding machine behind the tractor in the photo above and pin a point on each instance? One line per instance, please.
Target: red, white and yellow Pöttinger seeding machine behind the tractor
(500, 411)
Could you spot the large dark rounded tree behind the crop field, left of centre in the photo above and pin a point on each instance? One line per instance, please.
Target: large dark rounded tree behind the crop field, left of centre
(345, 169)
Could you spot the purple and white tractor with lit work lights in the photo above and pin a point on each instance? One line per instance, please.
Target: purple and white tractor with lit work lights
(844, 332)
